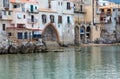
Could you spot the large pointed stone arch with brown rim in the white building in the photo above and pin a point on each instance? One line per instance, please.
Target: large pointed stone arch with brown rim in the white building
(50, 33)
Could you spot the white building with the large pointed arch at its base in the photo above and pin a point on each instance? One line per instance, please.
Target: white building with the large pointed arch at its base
(56, 21)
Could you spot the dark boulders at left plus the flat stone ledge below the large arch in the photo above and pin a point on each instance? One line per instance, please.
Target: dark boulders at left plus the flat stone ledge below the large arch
(31, 47)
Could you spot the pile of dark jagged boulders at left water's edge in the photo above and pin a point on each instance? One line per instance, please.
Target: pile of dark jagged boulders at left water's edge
(23, 48)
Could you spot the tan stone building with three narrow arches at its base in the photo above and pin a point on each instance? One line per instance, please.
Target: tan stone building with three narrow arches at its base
(86, 14)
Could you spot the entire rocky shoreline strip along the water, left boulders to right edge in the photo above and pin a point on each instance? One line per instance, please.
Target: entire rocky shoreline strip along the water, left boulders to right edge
(39, 47)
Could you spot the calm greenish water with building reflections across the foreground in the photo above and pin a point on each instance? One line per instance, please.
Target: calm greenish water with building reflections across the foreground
(89, 63)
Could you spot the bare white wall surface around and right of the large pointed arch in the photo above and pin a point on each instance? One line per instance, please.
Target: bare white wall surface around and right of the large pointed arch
(65, 30)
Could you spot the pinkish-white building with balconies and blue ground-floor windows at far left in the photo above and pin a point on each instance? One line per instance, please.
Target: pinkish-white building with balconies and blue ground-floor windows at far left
(19, 20)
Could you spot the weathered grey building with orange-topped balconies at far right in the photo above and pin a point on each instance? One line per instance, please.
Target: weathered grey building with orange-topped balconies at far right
(110, 22)
